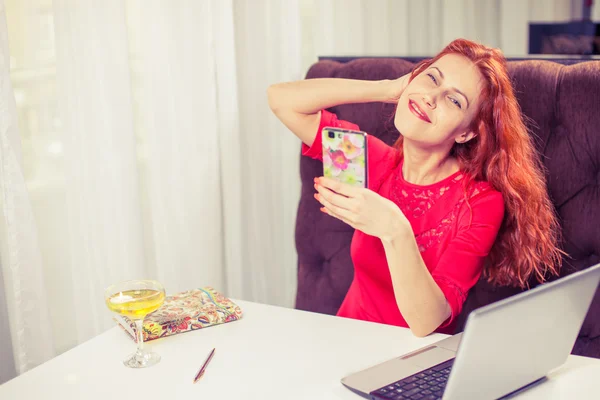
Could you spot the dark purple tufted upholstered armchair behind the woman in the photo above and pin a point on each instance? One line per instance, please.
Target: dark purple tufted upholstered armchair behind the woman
(561, 101)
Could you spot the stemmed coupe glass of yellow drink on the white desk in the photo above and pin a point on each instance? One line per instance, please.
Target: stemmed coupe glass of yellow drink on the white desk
(135, 299)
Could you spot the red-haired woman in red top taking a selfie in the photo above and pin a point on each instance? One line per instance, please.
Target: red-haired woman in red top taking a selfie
(460, 193)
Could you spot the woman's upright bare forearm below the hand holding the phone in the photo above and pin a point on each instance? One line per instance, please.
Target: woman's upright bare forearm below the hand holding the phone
(419, 298)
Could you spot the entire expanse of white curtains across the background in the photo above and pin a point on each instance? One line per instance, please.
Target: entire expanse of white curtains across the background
(146, 146)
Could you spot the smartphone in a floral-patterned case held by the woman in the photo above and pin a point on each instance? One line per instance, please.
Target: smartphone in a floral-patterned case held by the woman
(345, 156)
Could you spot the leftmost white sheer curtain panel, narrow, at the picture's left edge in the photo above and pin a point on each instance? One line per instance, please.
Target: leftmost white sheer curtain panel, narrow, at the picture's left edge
(24, 289)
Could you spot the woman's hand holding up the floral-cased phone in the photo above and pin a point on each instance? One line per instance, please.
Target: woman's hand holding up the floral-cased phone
(362, 209)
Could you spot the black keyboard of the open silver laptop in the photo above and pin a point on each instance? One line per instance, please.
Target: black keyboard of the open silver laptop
(428, 384)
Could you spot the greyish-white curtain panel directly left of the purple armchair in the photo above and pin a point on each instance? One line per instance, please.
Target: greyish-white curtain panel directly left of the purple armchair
(268, 49)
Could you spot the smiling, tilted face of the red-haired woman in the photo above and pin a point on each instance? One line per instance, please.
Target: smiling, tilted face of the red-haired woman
(437, 107)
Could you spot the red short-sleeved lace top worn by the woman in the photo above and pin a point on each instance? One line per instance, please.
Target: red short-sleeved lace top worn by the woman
(454, 236)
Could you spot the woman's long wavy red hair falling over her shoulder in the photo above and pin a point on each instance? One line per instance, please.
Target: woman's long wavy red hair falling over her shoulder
(503, 154)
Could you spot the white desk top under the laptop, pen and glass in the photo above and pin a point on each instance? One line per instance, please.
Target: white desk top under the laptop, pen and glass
(271, 353)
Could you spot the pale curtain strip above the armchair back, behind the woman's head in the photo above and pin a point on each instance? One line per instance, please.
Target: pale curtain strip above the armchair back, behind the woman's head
(424, 27)
